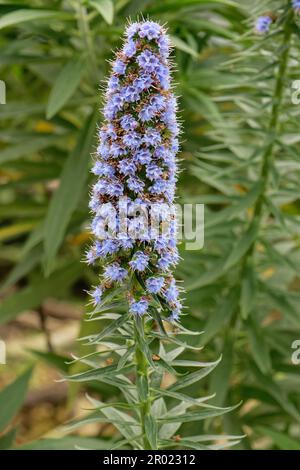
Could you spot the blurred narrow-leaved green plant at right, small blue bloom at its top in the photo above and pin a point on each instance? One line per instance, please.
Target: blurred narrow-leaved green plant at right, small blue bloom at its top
(251, 263)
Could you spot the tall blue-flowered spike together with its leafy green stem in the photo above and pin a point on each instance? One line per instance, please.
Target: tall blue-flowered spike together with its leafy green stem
(137, 297)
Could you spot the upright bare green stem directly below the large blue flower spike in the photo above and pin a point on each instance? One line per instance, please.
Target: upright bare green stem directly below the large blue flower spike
(142, 381)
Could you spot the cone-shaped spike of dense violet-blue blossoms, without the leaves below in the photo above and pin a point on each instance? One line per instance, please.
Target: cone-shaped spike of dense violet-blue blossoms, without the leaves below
(135, 161)
